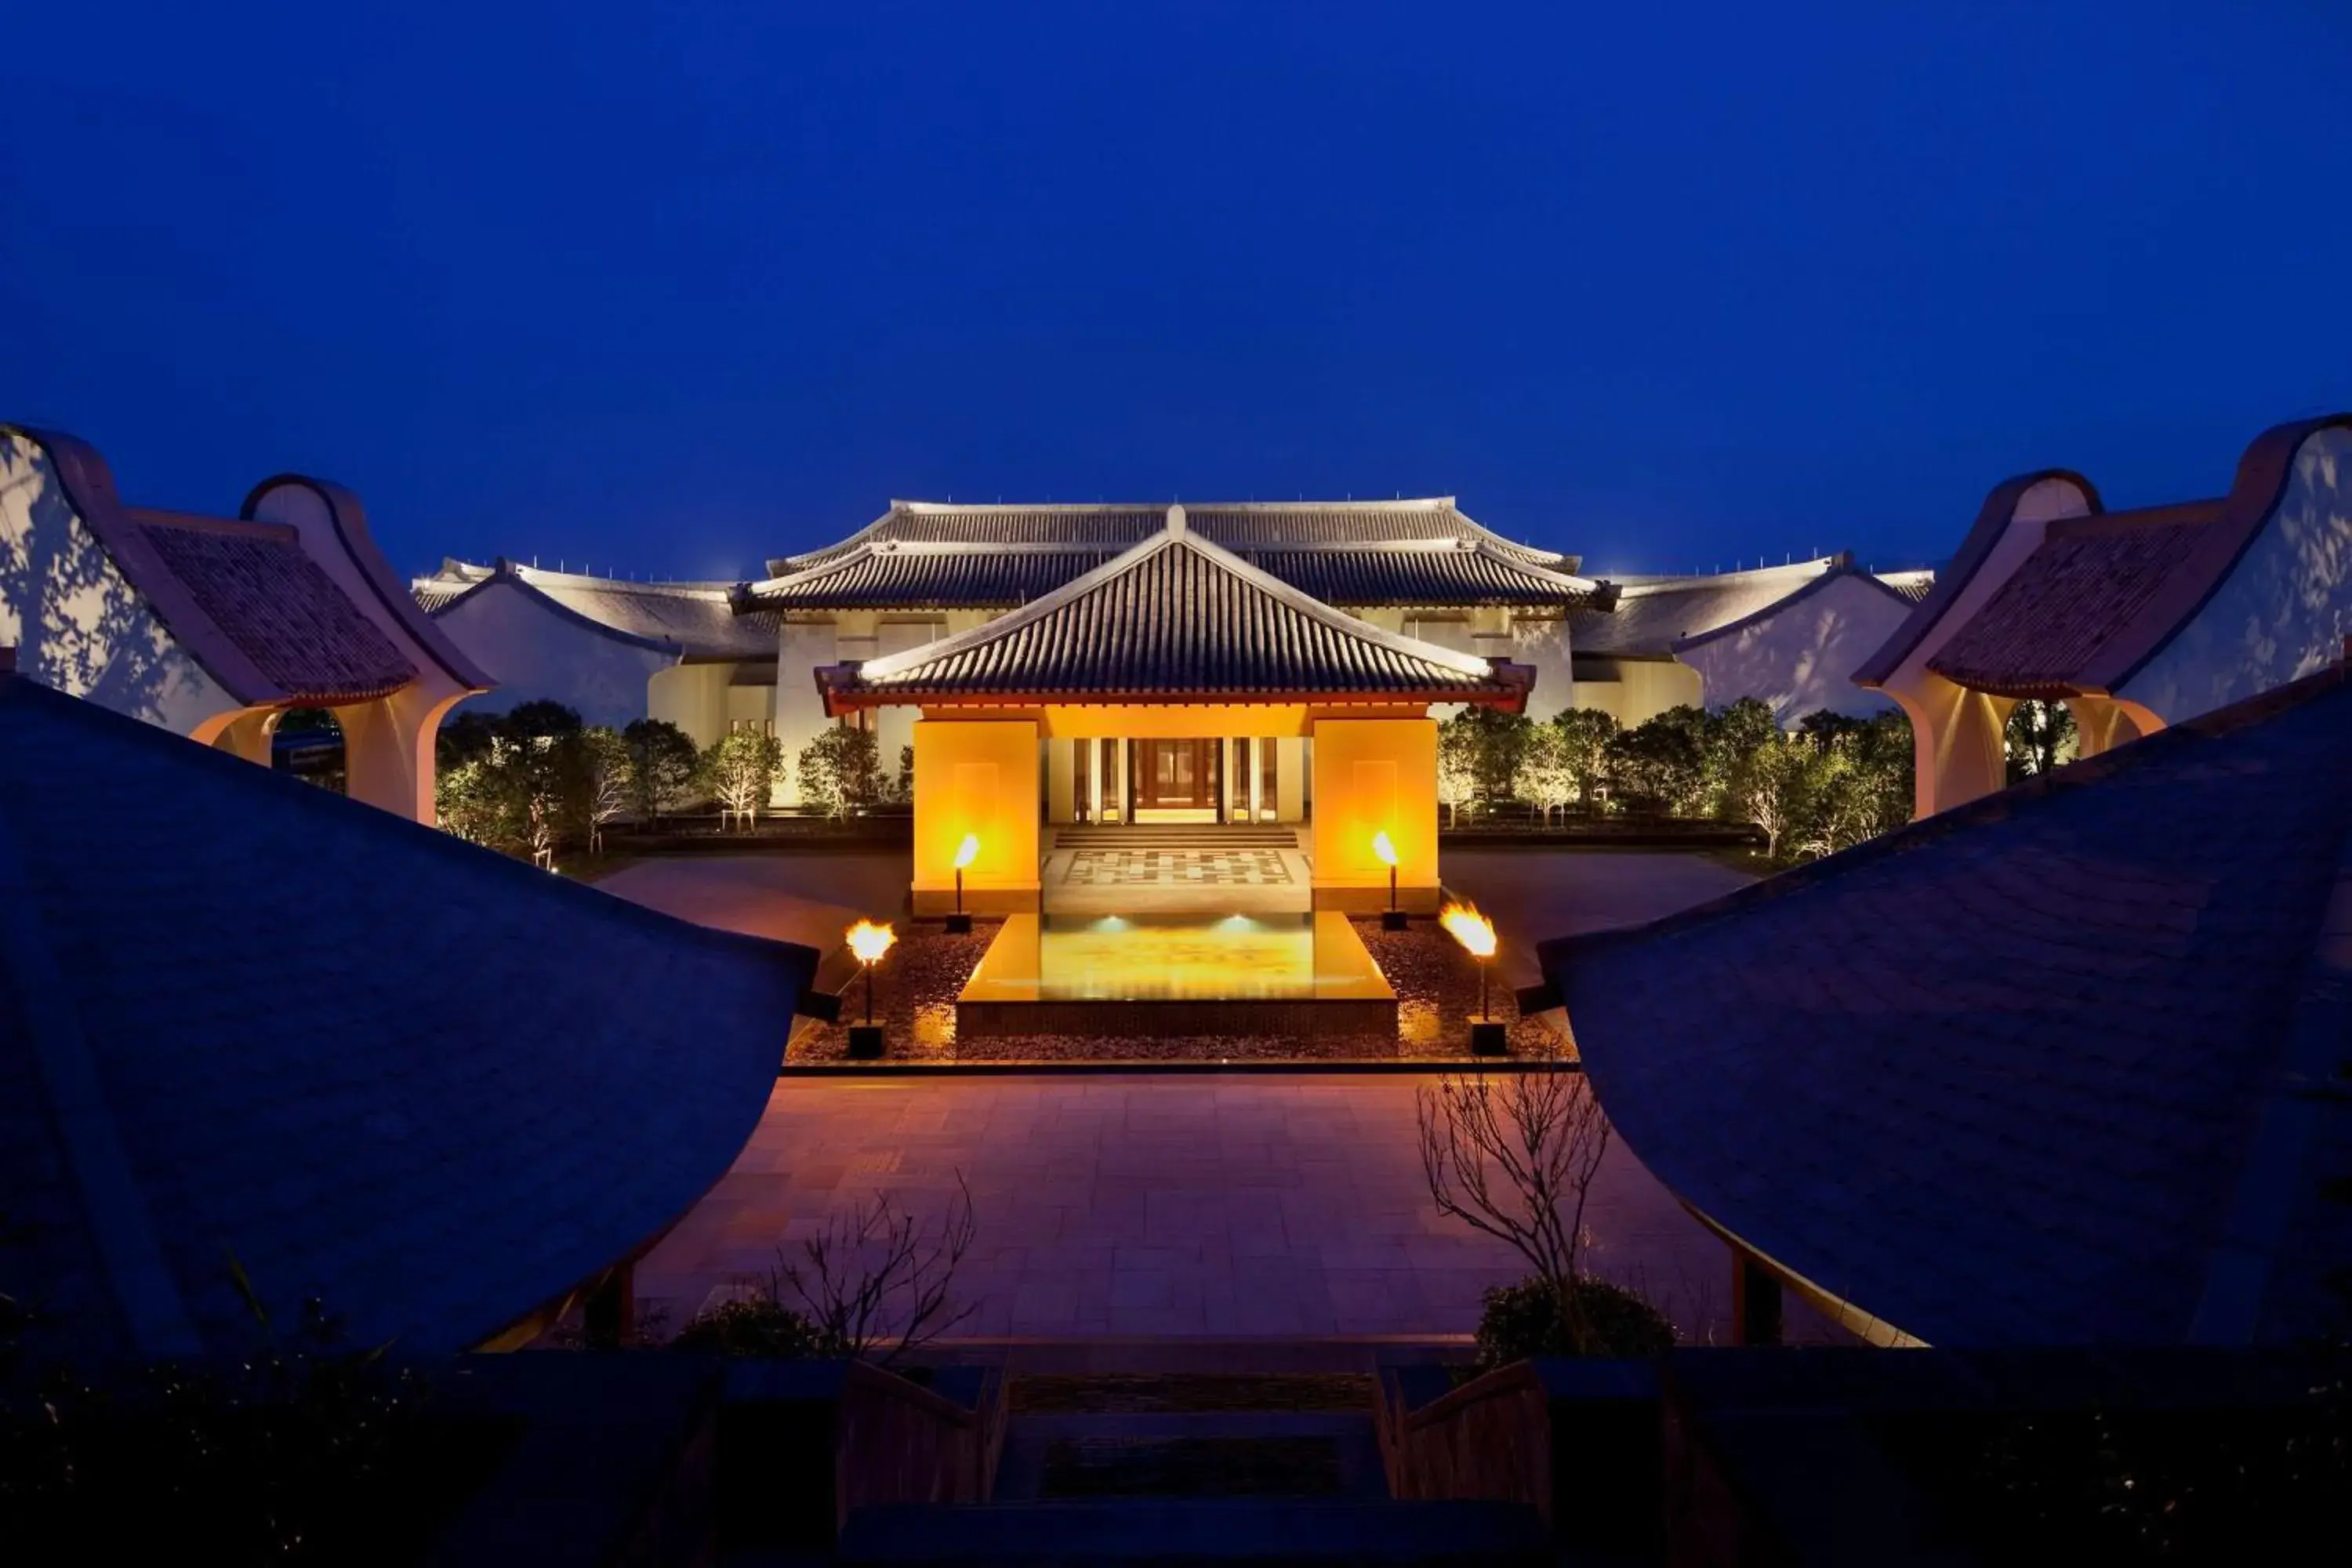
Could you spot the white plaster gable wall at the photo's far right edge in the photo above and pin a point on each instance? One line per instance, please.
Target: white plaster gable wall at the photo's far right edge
(2283, 612)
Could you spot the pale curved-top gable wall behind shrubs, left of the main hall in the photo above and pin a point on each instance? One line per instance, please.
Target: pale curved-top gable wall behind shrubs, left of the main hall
(537, 655)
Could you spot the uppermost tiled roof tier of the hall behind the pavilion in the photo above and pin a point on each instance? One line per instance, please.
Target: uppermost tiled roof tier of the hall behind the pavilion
(1236, 525)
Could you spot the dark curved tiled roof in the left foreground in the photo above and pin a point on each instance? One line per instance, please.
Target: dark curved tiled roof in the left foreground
(227, 1031)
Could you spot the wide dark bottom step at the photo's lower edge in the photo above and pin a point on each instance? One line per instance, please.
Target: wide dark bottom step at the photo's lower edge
(1198, 1532)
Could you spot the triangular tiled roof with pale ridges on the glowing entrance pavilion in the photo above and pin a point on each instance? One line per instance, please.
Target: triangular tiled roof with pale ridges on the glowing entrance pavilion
(1175, 617)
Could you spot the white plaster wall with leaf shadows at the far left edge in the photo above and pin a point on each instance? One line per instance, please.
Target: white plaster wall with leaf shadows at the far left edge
(76, 622)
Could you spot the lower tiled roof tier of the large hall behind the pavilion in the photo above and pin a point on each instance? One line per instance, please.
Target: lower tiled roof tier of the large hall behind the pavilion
(994, 577)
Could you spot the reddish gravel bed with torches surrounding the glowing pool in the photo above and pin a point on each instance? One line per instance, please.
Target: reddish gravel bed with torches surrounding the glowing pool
(916, 989)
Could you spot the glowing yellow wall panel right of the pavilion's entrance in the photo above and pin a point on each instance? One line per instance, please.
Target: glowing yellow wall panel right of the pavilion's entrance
(1375, 777)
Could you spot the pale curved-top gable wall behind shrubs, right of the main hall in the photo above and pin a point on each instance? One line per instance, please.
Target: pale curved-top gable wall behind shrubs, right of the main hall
(1803, 659)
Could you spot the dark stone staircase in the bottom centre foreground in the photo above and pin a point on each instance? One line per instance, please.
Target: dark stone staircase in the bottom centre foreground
(1194, 1470)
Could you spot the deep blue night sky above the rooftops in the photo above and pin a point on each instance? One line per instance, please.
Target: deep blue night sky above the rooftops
(674, 288)
